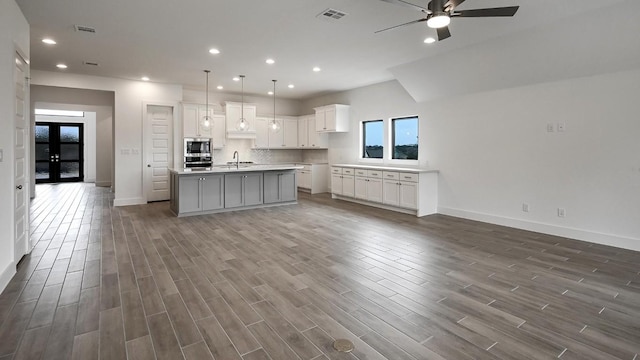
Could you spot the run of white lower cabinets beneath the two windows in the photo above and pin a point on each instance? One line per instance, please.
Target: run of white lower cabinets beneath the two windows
(411, 192)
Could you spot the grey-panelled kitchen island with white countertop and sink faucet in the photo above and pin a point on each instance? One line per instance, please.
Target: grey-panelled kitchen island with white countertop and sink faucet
(230, 188)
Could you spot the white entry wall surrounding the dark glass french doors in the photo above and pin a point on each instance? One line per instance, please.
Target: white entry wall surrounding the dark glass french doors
(89, 138)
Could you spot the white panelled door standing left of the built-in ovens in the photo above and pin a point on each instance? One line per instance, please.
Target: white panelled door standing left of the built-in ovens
(158, 151)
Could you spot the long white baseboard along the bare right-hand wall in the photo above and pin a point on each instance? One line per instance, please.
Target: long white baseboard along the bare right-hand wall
(578, 234)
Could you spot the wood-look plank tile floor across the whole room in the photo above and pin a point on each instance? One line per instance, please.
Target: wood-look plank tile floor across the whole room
(285, 282)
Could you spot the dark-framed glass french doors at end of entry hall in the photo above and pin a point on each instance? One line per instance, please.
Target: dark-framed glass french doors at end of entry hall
(59, 155)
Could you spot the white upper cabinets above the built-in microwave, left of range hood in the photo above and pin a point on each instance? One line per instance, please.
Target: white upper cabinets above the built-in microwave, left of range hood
(192, 115)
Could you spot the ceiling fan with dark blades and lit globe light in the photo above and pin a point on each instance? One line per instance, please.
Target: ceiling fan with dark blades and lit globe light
(440, 12)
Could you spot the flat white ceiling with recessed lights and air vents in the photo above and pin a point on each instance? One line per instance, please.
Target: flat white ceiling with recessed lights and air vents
(169, 40)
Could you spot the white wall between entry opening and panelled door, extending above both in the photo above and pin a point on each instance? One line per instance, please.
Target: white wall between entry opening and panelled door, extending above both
(128, 123)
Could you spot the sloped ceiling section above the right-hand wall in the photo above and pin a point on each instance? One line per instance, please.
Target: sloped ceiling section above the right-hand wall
(589, 43)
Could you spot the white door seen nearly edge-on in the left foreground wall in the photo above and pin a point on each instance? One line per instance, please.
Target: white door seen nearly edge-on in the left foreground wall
(21, 206)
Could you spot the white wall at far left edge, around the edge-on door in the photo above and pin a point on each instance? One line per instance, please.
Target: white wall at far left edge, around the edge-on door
(14, 34)
